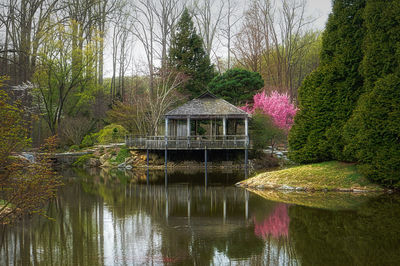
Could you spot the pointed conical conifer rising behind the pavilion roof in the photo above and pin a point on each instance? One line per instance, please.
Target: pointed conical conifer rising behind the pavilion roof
(187, 55)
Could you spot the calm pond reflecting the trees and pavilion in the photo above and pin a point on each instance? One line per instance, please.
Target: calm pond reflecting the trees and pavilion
(117, 218)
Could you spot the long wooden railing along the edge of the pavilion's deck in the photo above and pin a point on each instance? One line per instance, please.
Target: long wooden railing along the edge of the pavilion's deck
(183, 143)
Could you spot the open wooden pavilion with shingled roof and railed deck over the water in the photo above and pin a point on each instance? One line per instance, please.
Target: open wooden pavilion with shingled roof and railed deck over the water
(204, 122)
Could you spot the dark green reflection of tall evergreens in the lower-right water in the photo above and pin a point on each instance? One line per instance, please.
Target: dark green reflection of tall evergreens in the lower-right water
(368, 236)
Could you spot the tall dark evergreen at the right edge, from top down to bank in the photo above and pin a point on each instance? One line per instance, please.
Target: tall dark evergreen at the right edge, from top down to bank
(373, 132)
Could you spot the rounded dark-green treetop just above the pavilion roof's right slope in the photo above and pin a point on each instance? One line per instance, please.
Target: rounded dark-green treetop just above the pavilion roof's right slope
(237, 86)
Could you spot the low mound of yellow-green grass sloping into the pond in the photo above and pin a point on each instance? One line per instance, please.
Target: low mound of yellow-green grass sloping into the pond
(331, 176)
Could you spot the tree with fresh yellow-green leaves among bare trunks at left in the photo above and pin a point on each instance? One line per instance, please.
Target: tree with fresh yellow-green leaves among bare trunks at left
(64, 76)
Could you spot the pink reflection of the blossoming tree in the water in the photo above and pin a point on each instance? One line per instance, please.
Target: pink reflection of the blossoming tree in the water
(277, 224)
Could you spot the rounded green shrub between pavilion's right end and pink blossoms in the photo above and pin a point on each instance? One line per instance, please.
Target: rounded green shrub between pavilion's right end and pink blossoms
(264, 132)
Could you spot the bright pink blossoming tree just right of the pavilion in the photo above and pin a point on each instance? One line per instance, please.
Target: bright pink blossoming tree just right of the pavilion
(276, 105)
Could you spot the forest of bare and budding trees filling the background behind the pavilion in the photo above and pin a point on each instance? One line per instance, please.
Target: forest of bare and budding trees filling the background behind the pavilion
(53, 54)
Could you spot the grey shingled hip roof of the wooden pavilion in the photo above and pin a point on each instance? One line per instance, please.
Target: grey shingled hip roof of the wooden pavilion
(207, 105)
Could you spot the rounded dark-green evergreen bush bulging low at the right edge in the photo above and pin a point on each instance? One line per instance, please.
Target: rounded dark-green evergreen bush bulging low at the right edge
(376, 139)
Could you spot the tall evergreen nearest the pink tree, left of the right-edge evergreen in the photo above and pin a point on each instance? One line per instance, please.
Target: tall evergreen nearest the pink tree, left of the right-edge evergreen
(328, 96)
